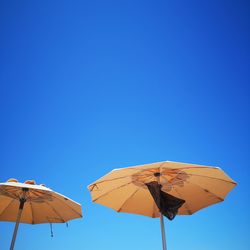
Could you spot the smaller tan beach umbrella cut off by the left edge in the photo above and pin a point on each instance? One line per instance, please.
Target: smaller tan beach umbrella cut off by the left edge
(34, 204)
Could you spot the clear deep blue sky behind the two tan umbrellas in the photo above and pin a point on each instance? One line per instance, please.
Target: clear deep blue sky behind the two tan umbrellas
(88, 86)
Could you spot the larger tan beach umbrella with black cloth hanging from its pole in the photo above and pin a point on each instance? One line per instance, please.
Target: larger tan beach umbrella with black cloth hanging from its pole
(163, 188)
